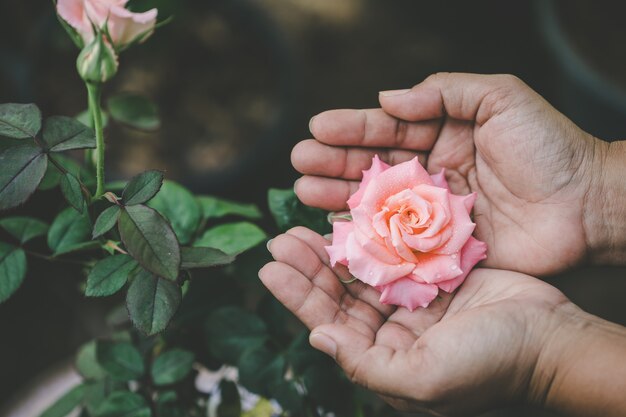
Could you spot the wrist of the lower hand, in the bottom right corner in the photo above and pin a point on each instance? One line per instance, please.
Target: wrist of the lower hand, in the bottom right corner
(581, 370)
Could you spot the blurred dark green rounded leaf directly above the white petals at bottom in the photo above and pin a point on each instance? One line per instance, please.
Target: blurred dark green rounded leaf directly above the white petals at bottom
(231, 330)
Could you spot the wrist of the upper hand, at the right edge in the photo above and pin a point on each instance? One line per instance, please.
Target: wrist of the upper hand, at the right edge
(604, 213)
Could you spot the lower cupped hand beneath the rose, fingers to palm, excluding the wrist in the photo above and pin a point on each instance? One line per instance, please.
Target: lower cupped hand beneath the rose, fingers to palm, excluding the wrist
(477, 349)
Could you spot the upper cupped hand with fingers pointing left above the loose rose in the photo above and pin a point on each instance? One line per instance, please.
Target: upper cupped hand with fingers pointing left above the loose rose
(542, 205)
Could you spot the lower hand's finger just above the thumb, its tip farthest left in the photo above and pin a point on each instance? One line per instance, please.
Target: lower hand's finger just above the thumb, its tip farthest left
(306, 301)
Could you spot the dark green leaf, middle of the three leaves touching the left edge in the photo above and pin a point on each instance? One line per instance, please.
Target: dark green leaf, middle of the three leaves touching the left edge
(22, 169)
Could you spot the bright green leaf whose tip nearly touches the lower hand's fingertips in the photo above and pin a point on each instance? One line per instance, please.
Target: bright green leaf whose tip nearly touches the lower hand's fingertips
(232, 238)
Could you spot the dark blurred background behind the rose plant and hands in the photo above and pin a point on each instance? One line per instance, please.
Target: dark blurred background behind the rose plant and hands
(236, 82)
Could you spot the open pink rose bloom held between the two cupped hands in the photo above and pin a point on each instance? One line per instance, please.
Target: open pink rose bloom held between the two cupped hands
(409, 236)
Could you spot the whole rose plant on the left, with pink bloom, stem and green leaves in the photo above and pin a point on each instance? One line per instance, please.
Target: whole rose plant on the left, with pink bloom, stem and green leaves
(151, 242)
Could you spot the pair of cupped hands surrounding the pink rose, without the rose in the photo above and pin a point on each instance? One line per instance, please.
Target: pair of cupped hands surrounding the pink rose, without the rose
(544, 205)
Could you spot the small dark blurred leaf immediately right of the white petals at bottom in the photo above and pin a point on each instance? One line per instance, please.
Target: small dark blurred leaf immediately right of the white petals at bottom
(260, 369)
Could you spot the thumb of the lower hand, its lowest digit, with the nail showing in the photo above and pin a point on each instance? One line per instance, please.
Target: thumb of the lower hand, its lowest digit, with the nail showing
(378, 368)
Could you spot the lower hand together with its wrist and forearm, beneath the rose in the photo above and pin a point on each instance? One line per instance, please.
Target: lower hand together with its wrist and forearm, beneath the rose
(503, 338)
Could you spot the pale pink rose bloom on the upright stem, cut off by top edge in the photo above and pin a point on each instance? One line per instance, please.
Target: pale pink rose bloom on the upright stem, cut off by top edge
(123, 25)
